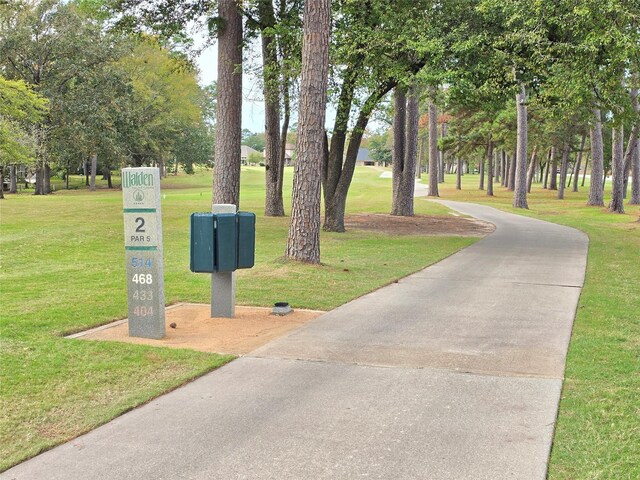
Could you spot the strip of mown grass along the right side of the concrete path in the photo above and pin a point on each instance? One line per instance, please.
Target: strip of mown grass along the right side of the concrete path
(598, 430)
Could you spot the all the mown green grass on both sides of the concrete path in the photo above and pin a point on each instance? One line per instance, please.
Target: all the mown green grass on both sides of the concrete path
(62, 271)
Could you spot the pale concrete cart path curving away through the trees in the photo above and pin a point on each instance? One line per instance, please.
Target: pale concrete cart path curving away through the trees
(454, 372)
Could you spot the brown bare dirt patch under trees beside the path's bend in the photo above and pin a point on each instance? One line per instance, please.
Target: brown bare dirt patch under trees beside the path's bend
(426, 225)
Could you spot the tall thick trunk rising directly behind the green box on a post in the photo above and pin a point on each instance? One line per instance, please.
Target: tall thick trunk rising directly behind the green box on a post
(226, 169)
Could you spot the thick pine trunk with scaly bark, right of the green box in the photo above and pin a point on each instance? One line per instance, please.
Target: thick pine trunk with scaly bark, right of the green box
(303, 242)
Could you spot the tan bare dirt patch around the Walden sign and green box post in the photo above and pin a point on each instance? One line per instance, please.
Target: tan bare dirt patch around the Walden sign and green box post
(251, 328)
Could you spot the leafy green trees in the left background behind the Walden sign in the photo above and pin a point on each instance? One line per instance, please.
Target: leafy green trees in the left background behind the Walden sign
(105, 98)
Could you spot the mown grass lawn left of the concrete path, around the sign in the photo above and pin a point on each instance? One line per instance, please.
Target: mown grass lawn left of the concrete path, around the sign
(62, 270)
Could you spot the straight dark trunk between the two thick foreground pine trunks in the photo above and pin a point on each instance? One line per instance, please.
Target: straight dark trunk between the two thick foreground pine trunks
(274, 206)
